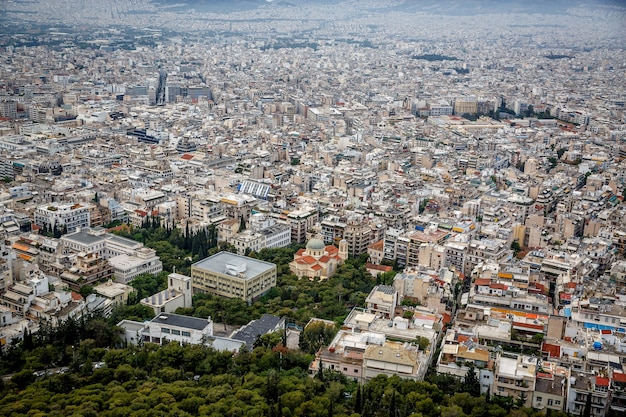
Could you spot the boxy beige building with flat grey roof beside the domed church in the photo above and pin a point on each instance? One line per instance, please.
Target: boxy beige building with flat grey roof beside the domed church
(233, 276)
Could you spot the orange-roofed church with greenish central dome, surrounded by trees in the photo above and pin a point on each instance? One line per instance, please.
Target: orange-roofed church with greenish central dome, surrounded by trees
(318, 261)
